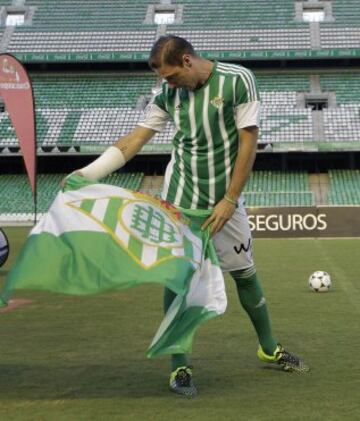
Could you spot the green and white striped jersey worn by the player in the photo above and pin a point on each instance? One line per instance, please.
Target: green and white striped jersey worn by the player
(206, 140)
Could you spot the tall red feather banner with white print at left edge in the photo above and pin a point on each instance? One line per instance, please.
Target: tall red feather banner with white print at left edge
(17, 94)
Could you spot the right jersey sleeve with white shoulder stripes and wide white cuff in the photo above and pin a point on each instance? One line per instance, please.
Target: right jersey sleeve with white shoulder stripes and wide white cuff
(247, 100)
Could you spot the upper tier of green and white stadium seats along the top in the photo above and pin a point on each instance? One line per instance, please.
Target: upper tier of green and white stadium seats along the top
(102, 29)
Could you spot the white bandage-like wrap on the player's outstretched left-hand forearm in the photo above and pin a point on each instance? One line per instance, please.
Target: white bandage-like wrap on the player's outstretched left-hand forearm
(106, 163)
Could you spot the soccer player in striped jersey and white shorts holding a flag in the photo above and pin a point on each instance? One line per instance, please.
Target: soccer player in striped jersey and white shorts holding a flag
(215, 108)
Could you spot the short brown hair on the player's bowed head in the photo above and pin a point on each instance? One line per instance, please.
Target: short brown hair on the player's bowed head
(169, 50)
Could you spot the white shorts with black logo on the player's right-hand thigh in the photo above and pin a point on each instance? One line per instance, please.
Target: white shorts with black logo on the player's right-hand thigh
(233, 243)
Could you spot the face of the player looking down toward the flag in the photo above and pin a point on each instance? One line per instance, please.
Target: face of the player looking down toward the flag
(179, 76)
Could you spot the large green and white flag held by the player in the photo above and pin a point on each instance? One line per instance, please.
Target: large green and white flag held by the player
(98, 238)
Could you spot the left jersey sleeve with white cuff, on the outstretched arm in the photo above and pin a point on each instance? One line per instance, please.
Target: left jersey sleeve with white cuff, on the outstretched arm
(155, 116)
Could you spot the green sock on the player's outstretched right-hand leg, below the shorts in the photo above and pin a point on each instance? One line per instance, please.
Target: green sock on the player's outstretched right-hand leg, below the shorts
(252, 299)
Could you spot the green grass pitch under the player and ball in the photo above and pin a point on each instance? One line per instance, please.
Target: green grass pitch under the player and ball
(83, 358)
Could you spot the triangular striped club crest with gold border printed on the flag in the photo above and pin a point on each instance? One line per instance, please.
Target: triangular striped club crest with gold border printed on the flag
(144, 227)
